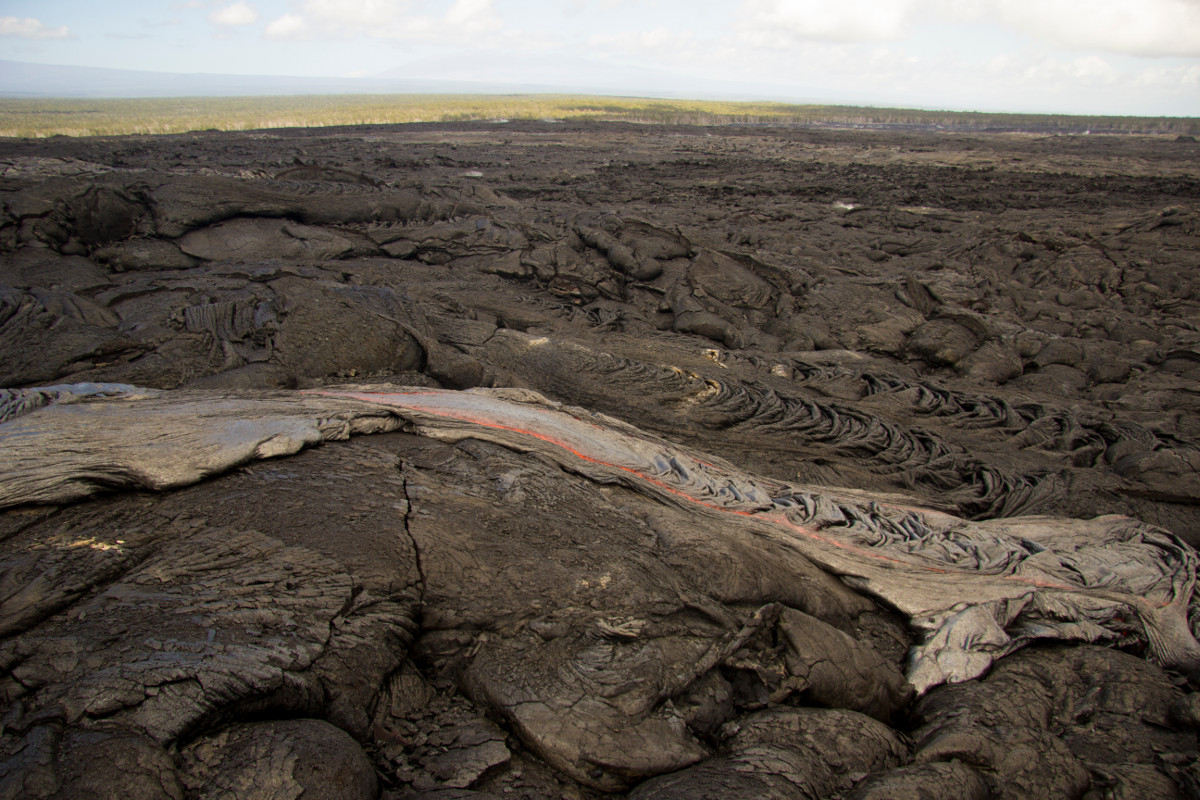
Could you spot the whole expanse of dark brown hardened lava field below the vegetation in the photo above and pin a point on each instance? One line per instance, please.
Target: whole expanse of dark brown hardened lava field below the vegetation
(853, 384)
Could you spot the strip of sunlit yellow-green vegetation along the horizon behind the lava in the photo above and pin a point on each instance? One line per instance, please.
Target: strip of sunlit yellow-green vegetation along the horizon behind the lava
(44, 118)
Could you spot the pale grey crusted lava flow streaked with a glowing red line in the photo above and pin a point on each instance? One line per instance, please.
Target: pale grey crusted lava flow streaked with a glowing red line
(977, 591)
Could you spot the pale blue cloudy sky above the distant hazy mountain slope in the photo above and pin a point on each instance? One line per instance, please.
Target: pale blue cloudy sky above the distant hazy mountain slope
(1073, 57)
